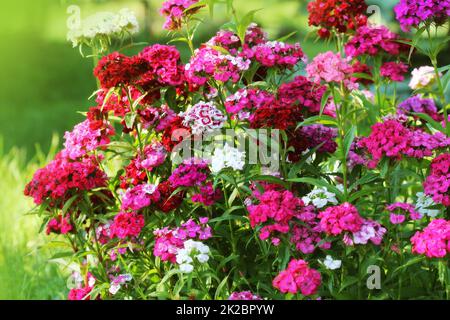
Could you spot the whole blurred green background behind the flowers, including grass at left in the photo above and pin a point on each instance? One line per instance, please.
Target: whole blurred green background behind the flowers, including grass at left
(44, 82)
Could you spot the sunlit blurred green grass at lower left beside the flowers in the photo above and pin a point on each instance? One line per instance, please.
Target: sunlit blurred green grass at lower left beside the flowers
(25, 271)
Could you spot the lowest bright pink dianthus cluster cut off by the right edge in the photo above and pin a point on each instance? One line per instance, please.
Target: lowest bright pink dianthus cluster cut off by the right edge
(434, 240)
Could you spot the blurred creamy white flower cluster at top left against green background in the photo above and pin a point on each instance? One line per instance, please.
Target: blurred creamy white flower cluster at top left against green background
(103, 24)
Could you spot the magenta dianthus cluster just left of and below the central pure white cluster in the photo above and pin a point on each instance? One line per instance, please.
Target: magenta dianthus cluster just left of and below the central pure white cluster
(192, 172)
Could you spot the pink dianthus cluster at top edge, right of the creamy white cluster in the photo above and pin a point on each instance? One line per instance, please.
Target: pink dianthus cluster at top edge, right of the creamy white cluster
(175, 11)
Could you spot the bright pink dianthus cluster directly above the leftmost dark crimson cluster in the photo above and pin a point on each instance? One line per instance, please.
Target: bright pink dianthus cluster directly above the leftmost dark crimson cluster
(84, 139)
